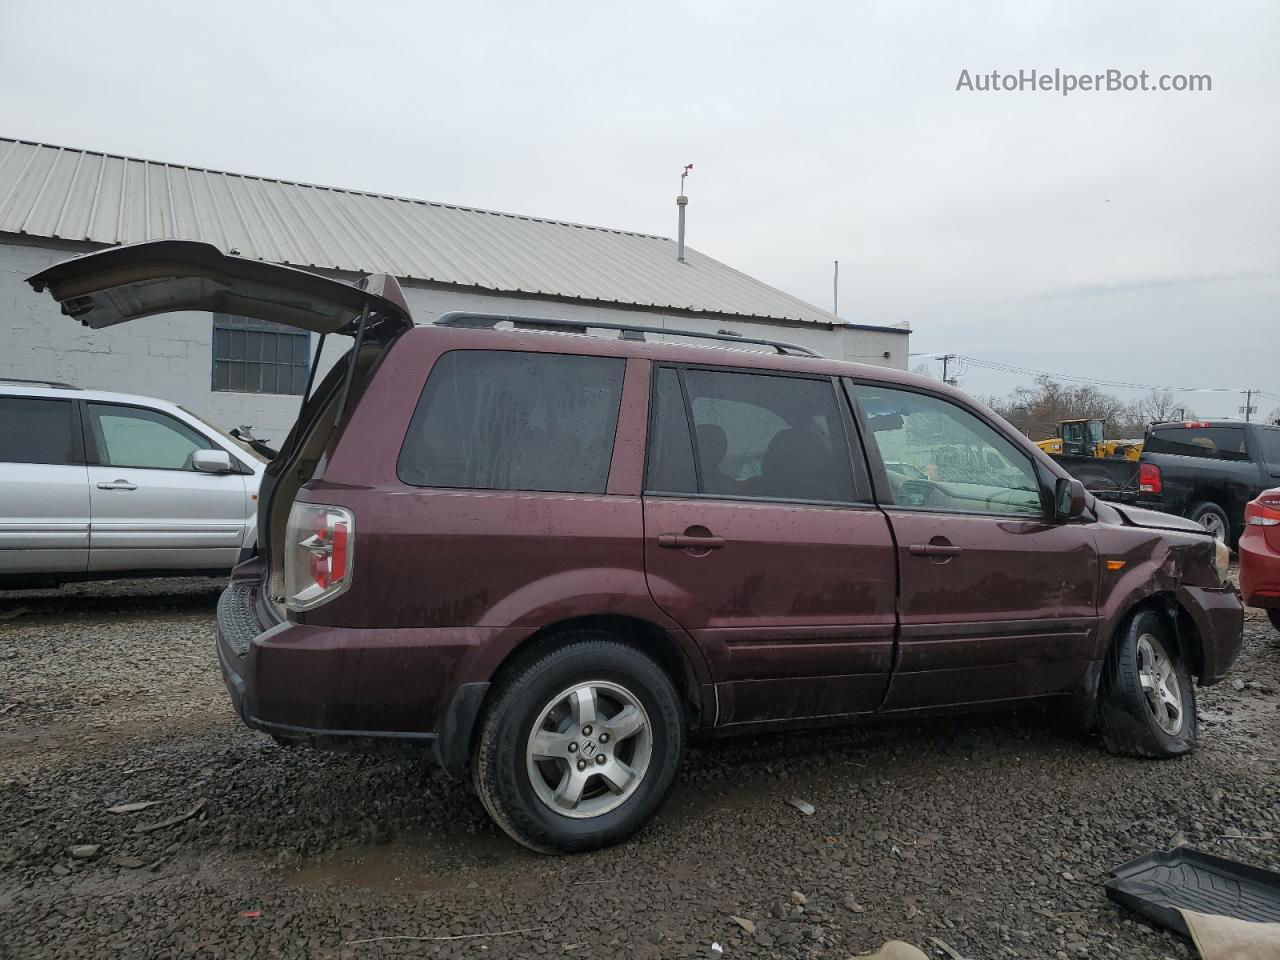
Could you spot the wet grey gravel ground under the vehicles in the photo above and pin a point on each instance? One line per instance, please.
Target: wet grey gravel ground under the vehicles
(991, 834)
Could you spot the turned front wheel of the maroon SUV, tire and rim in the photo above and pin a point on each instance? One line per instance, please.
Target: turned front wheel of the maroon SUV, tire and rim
(1148, 703)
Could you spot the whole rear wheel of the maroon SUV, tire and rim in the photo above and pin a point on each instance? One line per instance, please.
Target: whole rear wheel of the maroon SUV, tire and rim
(580, 744)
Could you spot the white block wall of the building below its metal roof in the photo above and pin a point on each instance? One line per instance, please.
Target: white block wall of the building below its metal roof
(171, 356)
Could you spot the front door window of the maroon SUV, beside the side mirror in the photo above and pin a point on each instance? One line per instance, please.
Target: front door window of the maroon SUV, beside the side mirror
(941, 458)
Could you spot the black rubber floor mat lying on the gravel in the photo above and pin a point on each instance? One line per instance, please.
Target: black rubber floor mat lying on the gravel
(1159, 884)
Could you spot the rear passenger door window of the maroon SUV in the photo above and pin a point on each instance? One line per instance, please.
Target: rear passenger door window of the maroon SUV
(756, 436)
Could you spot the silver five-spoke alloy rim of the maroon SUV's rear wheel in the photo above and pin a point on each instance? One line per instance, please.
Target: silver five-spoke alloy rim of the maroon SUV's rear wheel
(589, 749)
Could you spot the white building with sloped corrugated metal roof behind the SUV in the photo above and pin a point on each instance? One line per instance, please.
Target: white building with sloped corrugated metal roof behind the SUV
(57, 203)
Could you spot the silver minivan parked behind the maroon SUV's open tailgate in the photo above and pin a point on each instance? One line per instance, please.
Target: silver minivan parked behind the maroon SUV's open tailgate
(97, 486)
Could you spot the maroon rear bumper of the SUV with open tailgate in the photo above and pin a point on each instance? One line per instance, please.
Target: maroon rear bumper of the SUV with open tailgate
(339, 688)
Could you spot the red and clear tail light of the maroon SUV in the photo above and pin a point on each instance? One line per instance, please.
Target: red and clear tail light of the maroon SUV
(318, 555)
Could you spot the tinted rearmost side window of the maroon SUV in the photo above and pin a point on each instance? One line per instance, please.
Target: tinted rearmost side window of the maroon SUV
(506, 420)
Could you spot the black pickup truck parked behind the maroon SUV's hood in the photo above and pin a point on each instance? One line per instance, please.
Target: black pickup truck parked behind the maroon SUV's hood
(1208, 470)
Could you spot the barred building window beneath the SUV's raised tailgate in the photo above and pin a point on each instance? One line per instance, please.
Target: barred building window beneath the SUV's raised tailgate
(258, 356)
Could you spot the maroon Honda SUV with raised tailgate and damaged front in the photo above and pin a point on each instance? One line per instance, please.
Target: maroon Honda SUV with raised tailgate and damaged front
(554, 555)
